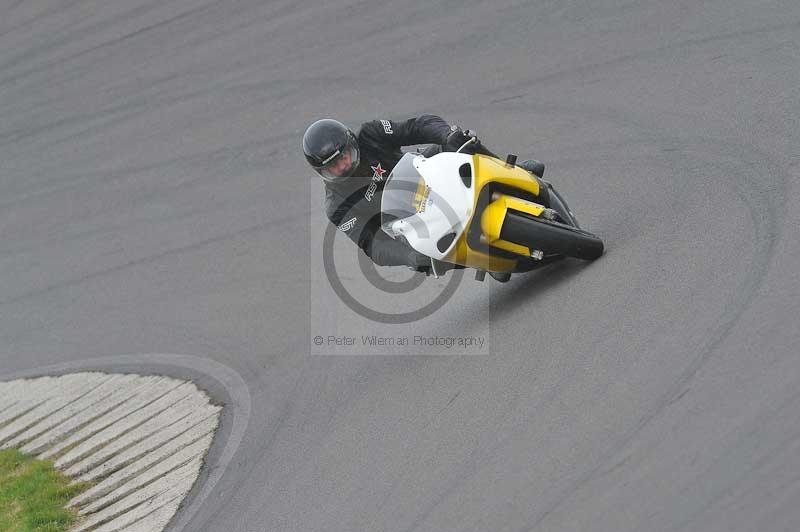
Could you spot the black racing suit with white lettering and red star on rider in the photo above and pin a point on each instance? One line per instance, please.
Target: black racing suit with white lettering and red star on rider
(354, 206)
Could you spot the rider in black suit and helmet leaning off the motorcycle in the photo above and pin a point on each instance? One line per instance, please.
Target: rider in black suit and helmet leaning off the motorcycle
(353, 167)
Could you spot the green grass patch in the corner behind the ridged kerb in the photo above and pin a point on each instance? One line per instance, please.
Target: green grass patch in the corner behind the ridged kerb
(33, 495)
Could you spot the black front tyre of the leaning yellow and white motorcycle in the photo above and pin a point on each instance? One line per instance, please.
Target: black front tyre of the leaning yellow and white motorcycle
(550, 237)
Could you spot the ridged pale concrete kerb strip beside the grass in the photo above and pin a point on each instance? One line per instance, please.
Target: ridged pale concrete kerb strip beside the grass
(141, 440)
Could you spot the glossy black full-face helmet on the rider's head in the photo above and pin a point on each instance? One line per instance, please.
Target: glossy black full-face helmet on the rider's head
(331, 149)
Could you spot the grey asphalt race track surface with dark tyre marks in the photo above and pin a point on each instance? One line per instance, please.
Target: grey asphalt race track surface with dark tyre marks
(154, 199)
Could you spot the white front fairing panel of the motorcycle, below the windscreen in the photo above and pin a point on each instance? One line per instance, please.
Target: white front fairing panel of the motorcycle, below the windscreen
(448, 207)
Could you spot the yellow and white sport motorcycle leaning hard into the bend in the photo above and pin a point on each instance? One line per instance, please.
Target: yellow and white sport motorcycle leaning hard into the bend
(476, 211)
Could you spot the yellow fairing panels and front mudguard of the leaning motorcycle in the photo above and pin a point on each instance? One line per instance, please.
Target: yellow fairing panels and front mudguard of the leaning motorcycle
(488, 170)
